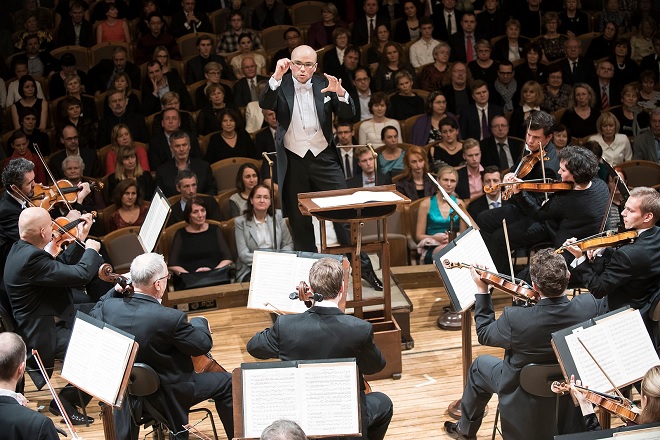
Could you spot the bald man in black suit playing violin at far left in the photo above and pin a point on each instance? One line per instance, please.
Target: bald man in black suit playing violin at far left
(37, 286)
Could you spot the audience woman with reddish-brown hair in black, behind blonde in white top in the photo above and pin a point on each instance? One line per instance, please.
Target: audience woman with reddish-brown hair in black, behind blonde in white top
(581, 115)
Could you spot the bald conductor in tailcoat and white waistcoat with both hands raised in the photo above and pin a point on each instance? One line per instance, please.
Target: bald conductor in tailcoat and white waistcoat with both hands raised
(307, 160)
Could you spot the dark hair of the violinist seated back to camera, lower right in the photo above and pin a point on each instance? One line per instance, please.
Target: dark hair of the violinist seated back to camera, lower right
(549, 272)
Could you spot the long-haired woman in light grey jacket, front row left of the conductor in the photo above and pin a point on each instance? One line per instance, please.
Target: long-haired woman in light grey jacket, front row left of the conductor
(254, 230)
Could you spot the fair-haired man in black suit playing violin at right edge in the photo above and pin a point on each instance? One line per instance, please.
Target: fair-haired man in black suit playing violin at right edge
(627, 275)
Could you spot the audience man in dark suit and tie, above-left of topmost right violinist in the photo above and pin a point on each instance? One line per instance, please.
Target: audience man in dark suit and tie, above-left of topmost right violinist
(474, 121)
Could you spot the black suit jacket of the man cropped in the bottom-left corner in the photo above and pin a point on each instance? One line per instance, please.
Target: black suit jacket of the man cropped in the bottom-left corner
(19, 422)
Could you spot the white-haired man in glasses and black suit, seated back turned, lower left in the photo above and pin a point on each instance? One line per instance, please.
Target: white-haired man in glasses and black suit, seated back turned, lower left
(167, 342)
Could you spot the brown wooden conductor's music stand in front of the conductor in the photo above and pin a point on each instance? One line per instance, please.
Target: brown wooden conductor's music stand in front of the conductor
(387, 333)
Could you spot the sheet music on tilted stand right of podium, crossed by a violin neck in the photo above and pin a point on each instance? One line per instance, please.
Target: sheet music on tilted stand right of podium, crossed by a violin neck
(470, 249)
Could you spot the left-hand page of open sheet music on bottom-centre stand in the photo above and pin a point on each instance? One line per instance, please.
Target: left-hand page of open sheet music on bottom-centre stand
(269, 394)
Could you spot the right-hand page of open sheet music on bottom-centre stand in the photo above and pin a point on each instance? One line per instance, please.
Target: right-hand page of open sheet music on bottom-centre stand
(329, 385)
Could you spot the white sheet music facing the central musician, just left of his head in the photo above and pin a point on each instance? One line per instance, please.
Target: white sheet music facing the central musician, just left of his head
(274, 276)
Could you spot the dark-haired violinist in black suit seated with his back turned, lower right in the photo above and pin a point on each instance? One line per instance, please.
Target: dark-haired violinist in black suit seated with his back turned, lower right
(524, 334)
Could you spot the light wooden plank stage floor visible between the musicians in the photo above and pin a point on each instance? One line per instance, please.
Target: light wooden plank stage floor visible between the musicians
(430, 381)
